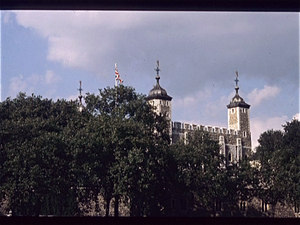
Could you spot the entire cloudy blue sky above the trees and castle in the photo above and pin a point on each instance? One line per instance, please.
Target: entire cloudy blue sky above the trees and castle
(48, 52)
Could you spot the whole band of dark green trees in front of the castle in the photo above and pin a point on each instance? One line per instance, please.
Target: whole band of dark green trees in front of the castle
(52, 157)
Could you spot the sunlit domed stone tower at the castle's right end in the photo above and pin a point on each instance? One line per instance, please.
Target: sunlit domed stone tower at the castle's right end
(239, 113)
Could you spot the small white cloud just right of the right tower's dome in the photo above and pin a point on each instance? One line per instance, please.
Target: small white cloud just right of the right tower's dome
(258, 96)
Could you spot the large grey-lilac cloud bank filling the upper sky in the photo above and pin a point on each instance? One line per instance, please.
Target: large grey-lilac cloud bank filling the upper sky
(202, 47)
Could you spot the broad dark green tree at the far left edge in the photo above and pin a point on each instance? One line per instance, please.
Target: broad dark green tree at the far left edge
(36, 170)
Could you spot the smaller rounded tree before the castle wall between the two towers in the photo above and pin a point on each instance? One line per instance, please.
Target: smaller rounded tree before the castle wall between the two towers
(200, 168)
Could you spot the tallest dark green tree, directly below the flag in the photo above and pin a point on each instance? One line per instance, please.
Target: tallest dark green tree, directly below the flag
(134, 140)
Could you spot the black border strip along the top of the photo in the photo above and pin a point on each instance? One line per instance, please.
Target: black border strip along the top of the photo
(153, 5)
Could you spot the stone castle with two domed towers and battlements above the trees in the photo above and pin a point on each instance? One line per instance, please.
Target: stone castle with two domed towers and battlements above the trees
(235, 140)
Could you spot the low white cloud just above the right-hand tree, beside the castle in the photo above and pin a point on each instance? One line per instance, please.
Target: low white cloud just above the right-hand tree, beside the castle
(260, 125)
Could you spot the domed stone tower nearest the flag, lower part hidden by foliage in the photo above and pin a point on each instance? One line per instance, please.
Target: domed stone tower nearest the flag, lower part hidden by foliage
(159, 98)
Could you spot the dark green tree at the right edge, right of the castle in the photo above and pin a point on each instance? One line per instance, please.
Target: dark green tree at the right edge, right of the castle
(279, 157)
